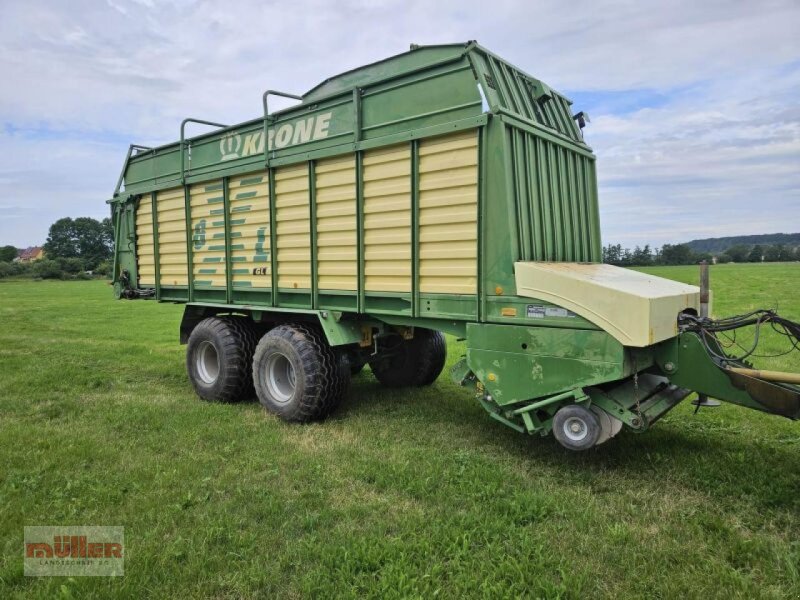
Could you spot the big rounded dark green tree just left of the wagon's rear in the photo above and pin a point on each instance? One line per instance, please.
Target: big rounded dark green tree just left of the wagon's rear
(85, 238)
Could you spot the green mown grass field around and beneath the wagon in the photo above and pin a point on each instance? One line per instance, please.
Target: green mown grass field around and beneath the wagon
(398, 494)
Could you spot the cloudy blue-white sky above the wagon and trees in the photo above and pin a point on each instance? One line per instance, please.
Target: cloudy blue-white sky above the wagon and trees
(695, 107)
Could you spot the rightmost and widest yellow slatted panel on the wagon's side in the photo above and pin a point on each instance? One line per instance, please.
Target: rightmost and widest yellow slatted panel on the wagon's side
(448, 214)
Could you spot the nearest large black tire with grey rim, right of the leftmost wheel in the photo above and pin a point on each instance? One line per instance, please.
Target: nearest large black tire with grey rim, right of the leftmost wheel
(297, 375)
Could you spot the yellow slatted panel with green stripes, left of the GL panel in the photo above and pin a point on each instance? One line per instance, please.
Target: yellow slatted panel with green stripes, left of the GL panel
(208, 234)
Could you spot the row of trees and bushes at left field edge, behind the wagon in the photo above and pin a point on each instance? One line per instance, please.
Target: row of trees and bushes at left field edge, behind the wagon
(75, 249)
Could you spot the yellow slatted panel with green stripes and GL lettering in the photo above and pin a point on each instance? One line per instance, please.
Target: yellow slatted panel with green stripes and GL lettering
(249, 218)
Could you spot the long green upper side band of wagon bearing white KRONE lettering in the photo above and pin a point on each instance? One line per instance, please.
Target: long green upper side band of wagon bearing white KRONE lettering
(429, 96)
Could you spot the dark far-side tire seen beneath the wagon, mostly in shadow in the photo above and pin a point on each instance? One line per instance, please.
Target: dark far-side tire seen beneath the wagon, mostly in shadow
(416, 362)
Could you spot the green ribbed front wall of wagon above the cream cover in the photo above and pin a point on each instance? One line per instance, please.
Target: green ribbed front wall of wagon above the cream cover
(540, 202)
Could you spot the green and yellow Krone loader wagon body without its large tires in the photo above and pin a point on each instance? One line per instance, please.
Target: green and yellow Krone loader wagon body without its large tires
(440, 189)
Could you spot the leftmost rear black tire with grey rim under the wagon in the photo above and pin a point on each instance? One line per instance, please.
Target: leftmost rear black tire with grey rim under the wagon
(219, 358)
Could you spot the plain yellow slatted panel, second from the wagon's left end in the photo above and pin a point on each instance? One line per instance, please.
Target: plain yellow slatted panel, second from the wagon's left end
(172, 237)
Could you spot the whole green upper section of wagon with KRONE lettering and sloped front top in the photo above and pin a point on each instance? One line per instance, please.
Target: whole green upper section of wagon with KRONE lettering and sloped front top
(410, 94)
